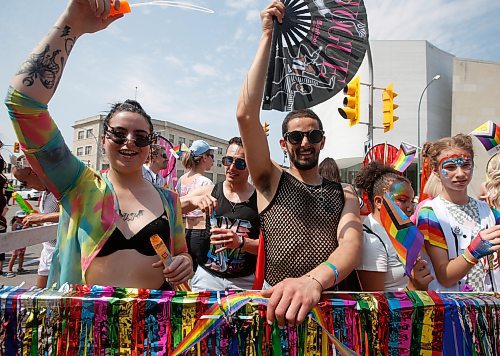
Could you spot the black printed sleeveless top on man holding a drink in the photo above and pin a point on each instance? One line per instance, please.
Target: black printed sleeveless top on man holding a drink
(242, 218)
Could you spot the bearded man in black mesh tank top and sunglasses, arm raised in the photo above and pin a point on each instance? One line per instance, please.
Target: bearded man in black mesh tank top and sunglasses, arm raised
(311, 226)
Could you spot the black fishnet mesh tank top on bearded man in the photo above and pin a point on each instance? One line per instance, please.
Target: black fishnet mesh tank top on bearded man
(300, 227)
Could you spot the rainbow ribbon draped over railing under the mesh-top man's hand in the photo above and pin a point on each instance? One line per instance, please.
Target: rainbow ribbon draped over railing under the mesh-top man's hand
(224, 310)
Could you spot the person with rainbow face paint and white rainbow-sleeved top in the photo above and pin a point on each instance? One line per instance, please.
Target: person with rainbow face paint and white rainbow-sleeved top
(461, 238)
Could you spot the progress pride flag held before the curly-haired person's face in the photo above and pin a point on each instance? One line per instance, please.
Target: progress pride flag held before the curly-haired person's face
(405, 236)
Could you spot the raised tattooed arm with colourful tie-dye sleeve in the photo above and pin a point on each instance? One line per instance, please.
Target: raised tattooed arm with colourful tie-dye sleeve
(33, 86)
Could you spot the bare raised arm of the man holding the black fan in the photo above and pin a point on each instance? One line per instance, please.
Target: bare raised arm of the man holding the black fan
(262, 170)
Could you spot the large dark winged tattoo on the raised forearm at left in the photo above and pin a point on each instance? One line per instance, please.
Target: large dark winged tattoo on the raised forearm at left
(41, 66)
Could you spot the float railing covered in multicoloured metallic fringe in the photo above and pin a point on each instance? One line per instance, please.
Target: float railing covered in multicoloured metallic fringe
(120, 321)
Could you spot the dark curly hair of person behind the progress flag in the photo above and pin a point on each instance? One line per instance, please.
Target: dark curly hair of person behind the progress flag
(375, 178)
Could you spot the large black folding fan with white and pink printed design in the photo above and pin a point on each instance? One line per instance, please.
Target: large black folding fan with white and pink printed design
(315, 52)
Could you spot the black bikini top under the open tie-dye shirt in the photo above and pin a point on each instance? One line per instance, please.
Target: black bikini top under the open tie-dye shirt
(140, 241)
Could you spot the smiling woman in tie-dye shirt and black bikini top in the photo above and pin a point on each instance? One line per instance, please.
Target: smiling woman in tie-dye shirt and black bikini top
(106, 219)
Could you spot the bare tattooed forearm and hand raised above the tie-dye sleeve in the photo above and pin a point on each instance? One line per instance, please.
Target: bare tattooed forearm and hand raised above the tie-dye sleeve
(40, 74)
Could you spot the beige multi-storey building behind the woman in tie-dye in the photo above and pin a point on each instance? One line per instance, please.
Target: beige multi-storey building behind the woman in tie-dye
(87, 144)
